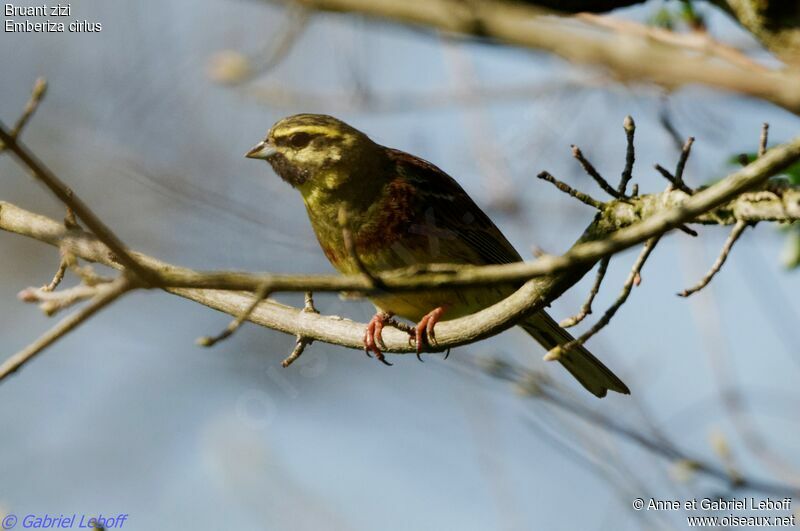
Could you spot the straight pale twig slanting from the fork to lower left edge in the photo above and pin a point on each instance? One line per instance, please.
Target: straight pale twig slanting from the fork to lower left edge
(106, 294)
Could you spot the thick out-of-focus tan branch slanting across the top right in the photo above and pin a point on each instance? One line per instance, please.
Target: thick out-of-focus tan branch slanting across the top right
(630, 56)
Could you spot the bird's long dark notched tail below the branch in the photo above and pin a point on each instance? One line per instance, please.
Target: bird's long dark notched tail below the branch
(587, 369)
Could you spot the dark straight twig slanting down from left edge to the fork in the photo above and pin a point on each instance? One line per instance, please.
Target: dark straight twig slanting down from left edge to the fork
(68, 197)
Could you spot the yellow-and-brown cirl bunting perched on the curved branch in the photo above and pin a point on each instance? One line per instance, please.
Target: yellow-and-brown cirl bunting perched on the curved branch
(403, 211)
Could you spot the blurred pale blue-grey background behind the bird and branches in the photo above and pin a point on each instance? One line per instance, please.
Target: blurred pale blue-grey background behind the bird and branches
(148, 121)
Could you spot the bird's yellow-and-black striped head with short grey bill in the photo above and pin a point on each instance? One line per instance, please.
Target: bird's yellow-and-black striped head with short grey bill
(316, 151)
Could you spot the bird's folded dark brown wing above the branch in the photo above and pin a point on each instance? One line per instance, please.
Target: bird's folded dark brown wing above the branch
(444, 208)
